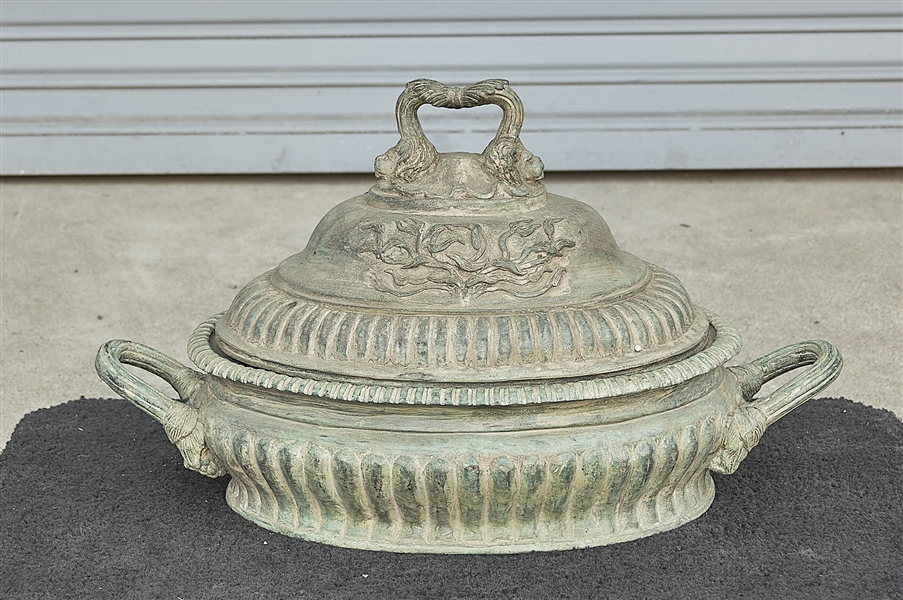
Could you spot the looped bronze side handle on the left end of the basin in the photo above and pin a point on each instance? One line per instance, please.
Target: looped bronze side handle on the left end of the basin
(180, 420)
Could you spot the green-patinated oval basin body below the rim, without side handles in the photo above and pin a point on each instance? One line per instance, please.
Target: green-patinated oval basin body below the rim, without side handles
(463, 479)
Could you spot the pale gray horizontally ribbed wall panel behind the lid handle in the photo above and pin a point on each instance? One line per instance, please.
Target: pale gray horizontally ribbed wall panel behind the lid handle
(253, 87)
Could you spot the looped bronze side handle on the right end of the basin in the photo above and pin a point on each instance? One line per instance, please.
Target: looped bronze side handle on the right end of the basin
(750, 420)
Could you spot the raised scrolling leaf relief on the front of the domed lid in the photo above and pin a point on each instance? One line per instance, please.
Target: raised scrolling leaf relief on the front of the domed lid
(526, 259)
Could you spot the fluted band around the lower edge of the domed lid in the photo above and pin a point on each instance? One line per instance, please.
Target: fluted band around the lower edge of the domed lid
(294, 332)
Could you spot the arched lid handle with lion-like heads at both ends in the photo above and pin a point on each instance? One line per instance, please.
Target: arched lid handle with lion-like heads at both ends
(505, 156)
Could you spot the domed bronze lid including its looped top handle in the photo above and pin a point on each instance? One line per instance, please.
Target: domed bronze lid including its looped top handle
(460, 269)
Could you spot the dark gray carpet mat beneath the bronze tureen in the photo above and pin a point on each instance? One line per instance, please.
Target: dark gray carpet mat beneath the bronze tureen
(94, 503)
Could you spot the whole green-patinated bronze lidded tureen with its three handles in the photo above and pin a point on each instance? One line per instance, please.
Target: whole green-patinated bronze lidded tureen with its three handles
(461, 362)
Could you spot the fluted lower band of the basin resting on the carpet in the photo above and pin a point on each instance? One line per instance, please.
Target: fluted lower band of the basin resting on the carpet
(602, 489)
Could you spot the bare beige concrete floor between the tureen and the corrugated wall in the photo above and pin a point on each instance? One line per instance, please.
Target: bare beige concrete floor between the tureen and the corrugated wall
(783, 255)
